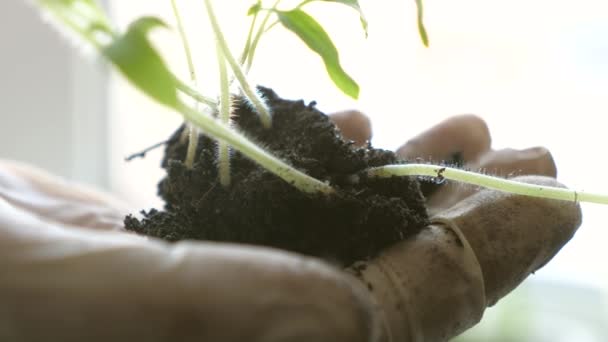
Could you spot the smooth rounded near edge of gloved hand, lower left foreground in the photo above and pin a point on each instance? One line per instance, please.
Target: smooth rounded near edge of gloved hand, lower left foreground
(66, 276)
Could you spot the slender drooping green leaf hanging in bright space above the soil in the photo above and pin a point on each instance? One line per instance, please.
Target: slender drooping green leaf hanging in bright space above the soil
(315, 37)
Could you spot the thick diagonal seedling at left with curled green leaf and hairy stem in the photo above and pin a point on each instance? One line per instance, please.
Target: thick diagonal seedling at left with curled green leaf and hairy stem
(132, 53)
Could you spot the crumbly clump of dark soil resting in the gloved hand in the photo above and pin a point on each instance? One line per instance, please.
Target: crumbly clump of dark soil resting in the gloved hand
(259, 208)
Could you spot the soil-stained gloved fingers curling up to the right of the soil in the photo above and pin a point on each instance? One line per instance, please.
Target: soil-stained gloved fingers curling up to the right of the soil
(479, 246)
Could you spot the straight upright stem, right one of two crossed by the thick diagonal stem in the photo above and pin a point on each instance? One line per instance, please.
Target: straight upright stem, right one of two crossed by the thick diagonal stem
(225, 107)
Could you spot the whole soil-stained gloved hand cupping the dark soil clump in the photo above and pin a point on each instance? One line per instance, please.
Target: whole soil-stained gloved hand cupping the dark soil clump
(68, 272)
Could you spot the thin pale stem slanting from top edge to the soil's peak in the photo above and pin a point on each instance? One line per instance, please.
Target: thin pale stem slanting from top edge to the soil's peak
(256, 100)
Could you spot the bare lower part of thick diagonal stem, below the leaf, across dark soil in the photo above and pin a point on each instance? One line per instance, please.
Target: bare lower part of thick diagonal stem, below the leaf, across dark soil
(222, 132)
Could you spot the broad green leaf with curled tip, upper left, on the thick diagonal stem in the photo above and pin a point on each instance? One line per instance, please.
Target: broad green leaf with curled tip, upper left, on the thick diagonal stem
(133, 54)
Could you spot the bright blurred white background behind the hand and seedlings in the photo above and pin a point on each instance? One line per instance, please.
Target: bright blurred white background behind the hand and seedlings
(536, 71)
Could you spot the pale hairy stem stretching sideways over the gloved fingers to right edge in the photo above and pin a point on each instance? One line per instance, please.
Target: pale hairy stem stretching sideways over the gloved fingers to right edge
(489, 182)
